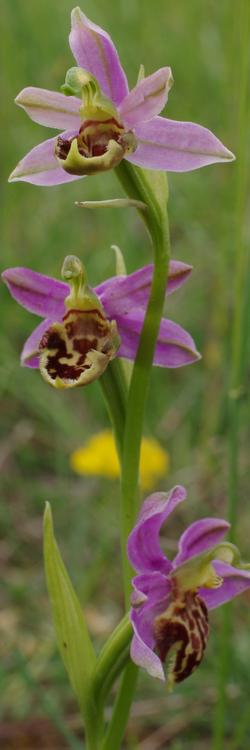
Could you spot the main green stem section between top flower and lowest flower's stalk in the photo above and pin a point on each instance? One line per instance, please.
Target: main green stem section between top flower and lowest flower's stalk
(152, 190)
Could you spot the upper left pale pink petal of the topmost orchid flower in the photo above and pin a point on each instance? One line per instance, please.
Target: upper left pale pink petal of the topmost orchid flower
(50, 108)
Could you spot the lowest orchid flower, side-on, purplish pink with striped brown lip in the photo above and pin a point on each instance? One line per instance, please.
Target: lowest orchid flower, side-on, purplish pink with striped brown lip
(171, 600)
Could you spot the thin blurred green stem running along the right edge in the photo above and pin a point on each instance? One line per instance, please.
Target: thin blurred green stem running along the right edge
(239, 326)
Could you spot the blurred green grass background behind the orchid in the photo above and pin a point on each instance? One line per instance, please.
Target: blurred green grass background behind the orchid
(187, 409)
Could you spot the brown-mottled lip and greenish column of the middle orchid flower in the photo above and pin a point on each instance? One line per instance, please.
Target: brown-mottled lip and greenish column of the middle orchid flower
(78, 349)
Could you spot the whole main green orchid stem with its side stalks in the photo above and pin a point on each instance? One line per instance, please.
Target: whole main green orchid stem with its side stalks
(151, 189)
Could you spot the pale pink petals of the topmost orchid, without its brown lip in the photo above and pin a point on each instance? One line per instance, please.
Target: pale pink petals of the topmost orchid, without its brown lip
(161, 143)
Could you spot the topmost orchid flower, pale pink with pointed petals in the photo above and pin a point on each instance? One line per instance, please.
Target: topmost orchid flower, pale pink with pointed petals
(103, 122)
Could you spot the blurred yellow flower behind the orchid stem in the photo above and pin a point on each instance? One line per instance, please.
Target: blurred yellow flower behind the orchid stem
(99, 457)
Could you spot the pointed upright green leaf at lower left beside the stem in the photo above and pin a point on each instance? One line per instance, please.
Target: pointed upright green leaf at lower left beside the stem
(72, 634)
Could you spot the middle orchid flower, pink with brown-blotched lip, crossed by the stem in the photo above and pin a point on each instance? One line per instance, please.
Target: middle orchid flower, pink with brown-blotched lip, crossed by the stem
(85, 328)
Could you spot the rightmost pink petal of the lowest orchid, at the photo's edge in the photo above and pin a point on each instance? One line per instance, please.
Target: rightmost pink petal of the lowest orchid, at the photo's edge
(235, 582)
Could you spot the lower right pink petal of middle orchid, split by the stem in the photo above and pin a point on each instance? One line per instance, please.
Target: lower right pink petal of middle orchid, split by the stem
(174, 348)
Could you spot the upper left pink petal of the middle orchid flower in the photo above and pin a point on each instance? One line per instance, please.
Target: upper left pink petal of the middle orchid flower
(38, 293)
